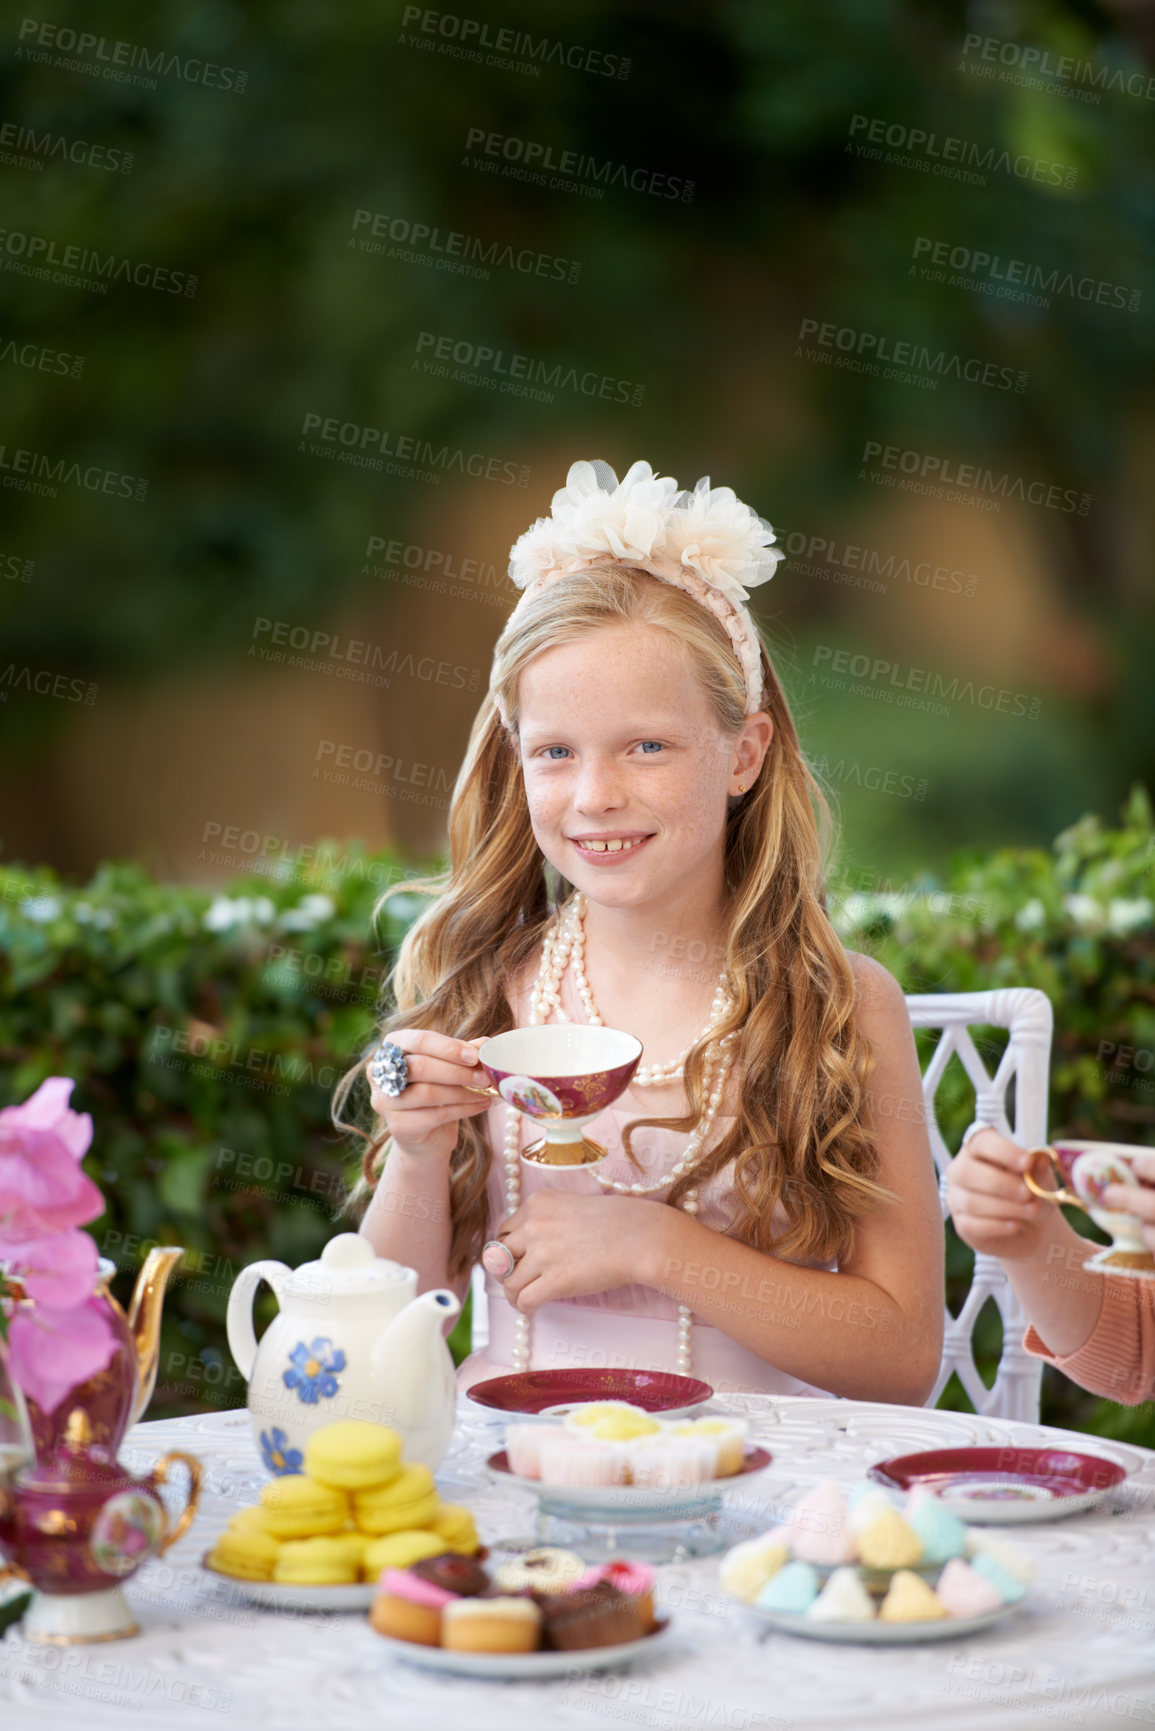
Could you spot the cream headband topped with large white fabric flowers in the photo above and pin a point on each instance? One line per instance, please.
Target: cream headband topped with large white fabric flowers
(706, 543)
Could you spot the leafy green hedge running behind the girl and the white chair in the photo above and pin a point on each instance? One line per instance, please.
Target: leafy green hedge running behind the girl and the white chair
(205, 1033)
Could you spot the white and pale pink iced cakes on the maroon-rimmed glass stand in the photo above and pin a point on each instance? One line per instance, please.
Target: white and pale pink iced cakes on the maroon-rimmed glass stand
(612, 1443)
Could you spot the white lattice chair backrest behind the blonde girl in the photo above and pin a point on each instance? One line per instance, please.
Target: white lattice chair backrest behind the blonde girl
(1026, 1014)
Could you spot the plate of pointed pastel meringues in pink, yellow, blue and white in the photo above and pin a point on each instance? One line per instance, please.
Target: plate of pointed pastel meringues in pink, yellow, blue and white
(861, 1559)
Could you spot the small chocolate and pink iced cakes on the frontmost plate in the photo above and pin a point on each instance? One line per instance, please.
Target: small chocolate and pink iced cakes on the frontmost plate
(546, 1600)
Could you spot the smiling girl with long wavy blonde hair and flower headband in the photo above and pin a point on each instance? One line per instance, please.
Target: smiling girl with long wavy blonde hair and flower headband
(633, 842)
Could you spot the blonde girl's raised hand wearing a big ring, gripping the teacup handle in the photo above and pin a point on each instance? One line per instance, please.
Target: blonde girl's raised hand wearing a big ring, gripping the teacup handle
(444, 1078)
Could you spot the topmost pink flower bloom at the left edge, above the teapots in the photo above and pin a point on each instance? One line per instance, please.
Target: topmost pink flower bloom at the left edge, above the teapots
(42, 1185)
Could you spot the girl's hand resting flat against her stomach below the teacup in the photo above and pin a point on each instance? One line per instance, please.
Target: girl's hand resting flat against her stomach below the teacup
(569, 1247)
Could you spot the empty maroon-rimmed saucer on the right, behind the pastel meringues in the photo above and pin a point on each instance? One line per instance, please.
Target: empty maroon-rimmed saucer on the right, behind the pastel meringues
(1005, 1486)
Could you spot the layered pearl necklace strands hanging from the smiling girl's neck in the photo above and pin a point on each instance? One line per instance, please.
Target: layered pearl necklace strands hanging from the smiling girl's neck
(558, 948)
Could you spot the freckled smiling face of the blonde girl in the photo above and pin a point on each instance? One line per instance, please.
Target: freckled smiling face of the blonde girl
(628, 771)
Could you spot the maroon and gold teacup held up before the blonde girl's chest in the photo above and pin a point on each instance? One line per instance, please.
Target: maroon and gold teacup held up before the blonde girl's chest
(562, 1076)
